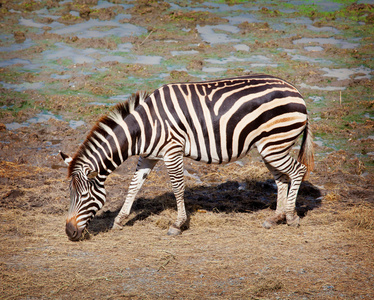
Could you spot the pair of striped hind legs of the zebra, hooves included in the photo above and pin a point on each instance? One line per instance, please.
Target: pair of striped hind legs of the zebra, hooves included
(285, 170)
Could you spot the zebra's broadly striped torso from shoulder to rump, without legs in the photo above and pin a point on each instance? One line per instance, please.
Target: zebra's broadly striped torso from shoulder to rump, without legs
(221, 120)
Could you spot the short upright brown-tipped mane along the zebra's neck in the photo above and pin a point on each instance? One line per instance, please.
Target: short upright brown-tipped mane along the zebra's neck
(120, 110)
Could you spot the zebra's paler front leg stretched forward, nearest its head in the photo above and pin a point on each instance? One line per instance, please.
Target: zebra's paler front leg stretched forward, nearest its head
(143, 168)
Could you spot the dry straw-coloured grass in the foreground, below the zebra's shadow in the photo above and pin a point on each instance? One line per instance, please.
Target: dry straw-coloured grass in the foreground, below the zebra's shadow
(220, 256)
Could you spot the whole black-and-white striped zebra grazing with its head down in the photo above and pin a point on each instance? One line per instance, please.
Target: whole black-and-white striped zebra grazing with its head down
(216, 121)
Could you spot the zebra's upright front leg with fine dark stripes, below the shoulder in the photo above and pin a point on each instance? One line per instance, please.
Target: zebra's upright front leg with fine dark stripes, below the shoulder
(174, 165)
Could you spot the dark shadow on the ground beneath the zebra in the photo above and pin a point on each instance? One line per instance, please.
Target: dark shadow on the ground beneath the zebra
(228, 197)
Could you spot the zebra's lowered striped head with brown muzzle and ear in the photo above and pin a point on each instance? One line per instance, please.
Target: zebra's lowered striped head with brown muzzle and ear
(87, 196)
